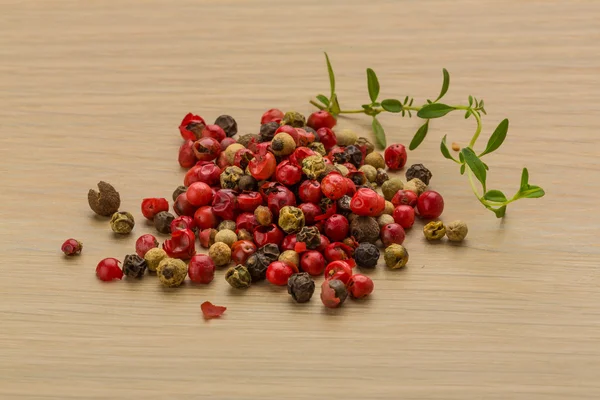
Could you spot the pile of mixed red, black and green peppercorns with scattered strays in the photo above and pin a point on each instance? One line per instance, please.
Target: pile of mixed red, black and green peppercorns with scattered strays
(287, 204)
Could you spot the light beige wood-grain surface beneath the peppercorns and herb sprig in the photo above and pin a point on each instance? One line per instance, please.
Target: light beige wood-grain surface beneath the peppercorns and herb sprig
(94, 90)
